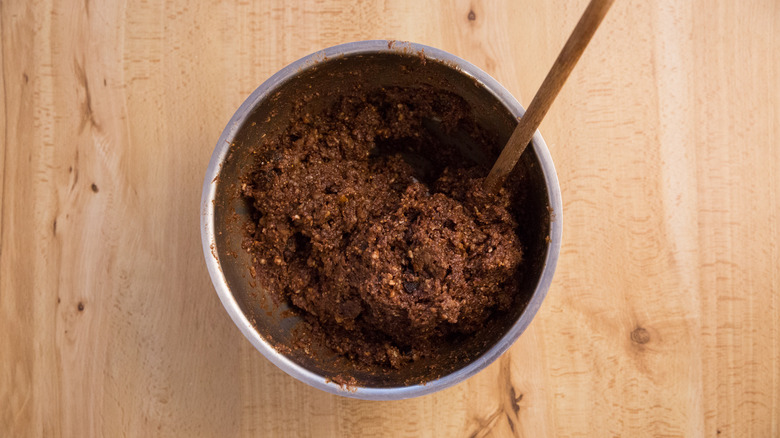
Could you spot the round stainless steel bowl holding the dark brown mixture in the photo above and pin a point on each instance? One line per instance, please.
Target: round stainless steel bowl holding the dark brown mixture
(267, 111)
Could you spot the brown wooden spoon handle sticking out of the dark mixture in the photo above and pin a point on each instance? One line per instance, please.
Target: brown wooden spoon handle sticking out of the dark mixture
(556, 77)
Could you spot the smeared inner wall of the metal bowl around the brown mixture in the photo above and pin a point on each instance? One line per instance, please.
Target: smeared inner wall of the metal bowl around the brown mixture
(318, 84)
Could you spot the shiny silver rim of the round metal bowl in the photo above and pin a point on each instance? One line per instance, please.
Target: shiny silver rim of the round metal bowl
(208, 231)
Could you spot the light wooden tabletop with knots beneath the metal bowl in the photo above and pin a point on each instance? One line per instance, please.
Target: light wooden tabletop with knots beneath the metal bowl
(664, 315)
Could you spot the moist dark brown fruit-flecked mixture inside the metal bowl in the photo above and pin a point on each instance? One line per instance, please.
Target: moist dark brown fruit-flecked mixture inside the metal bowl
(376, 231)
